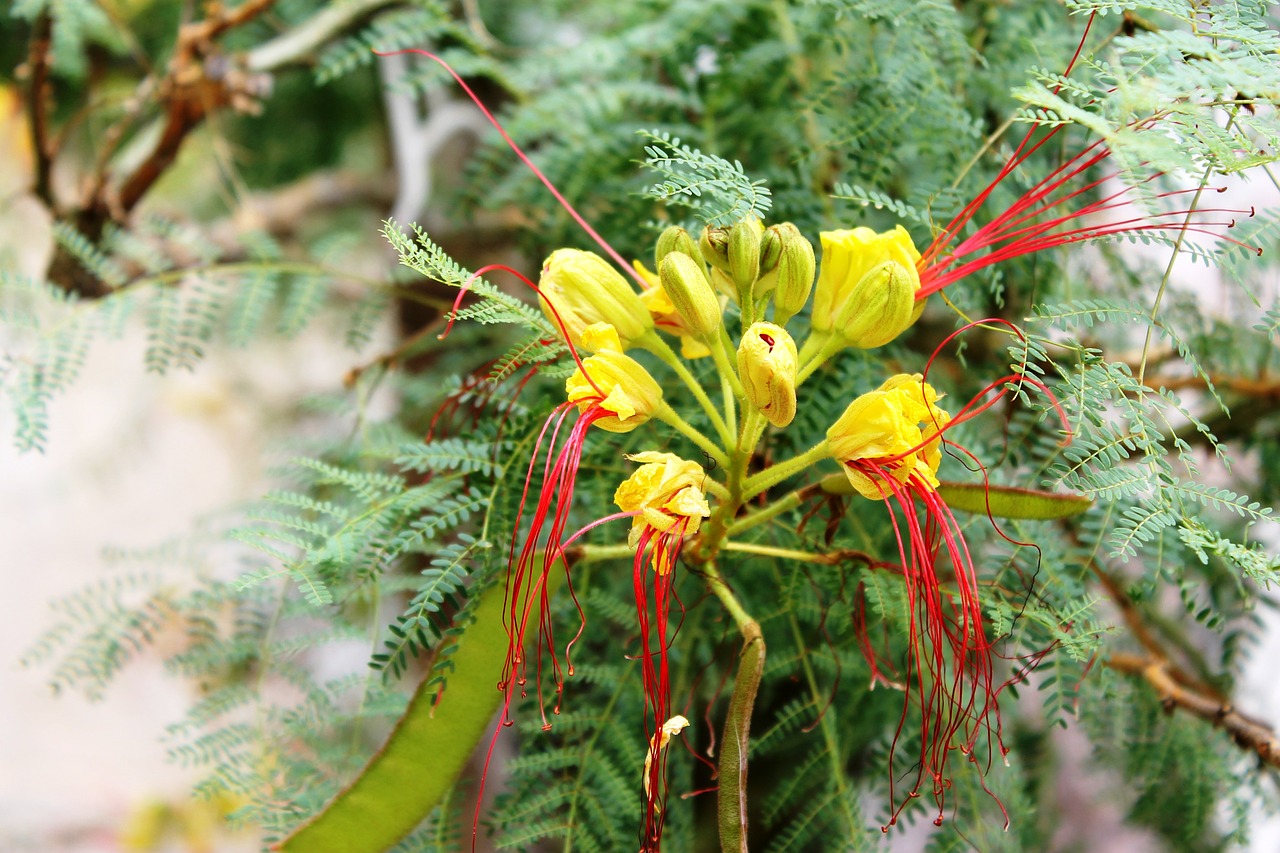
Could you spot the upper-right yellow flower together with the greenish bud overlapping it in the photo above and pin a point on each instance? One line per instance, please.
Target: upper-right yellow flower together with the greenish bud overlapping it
(867, 285)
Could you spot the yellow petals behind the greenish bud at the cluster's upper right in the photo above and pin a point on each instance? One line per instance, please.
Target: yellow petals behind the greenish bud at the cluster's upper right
(848, 257)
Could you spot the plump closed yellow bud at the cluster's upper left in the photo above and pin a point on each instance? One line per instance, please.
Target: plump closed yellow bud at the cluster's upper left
(583, 289)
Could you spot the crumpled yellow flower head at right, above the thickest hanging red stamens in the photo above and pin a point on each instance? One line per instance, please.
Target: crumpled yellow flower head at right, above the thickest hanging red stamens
(894, 432)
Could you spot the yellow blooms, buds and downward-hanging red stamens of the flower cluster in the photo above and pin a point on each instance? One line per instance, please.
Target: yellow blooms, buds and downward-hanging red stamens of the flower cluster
(888, 443)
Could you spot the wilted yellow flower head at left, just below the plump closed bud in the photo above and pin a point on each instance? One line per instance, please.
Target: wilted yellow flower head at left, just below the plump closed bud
(618, 384)
